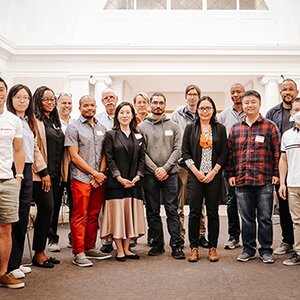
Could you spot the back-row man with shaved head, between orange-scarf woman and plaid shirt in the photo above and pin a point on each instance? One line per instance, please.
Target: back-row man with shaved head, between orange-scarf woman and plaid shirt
(228, 118)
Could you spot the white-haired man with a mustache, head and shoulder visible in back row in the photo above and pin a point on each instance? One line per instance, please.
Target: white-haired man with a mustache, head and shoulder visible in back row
(109, 100)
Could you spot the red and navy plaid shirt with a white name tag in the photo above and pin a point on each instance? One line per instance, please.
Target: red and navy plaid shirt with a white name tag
(253, 152)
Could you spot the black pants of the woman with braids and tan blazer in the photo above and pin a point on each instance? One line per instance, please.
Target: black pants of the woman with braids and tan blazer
(45, 206)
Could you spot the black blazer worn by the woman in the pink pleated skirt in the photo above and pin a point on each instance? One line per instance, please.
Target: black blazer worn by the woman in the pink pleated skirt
(117, 157)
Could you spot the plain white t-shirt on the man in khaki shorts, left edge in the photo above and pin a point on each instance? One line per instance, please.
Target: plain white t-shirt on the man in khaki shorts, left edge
(10, 128)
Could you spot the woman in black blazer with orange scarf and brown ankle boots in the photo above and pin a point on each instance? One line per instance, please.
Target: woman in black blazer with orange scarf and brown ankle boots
(204, 150)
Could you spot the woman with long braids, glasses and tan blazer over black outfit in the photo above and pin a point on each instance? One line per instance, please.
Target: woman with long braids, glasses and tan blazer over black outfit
(50, 141)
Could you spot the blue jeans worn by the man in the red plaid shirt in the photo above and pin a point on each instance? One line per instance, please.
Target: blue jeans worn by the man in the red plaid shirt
(256, 201)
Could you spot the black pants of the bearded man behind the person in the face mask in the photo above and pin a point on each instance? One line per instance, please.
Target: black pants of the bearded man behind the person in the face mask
(286, 222)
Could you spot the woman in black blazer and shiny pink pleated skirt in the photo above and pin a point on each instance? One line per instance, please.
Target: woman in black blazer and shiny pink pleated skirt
(123, 217)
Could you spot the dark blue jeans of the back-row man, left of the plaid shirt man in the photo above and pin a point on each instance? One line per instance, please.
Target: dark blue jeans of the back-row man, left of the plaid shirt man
(232, 211)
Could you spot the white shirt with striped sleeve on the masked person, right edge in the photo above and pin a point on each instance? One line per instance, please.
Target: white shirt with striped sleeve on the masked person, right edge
(290, 144)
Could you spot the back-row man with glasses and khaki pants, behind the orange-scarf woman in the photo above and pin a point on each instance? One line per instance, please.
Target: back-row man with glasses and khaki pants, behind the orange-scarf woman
(183, 116)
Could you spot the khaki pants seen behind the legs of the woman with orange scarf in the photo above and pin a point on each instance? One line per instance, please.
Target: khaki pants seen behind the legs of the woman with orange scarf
(182, 177)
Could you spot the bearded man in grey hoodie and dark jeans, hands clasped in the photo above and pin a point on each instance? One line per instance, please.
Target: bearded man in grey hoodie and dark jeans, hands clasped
(162, 142)
